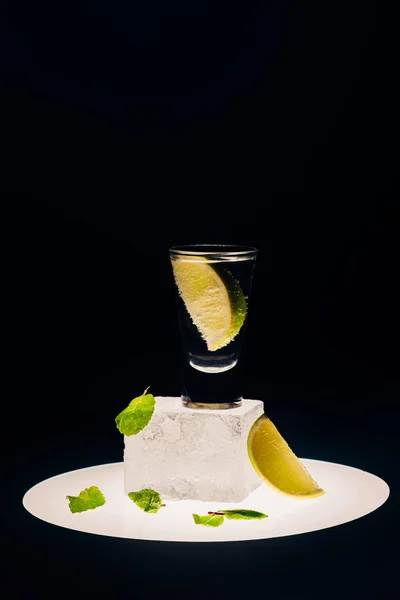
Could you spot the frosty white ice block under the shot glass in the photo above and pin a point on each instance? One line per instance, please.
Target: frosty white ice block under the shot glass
(193, 454)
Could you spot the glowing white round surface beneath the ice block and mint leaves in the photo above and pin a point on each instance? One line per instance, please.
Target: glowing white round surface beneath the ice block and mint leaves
(350, 494)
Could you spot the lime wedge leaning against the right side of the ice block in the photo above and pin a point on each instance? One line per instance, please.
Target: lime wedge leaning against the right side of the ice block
(276, 464)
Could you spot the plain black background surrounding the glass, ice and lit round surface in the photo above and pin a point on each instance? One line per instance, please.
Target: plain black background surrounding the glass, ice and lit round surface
(130, 127)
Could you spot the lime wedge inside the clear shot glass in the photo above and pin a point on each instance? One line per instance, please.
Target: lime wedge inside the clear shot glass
(213, 299)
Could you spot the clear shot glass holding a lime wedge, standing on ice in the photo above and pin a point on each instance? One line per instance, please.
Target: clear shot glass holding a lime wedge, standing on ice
(213, 285)
